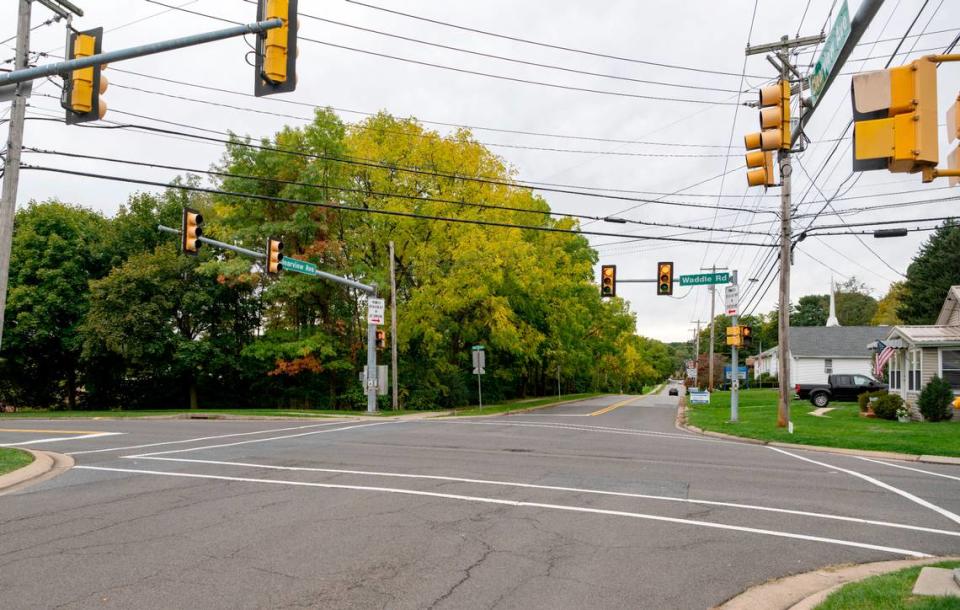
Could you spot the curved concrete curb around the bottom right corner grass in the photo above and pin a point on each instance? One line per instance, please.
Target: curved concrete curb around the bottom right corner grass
(806, 591)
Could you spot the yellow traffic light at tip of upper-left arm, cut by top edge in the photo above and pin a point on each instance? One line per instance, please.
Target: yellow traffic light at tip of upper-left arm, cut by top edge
(276, 51)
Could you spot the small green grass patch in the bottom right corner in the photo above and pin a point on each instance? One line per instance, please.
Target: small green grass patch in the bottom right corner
(890, 592)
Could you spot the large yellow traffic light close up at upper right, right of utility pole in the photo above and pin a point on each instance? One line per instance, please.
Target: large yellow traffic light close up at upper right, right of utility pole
(895, 118)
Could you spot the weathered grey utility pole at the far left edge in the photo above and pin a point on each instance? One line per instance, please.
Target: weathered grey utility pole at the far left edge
(11, 163)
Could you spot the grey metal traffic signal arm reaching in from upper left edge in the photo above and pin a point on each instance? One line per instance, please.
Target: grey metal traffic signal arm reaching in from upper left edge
(19, 76)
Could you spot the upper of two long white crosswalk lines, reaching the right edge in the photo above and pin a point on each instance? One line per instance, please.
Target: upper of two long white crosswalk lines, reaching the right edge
(578, 490)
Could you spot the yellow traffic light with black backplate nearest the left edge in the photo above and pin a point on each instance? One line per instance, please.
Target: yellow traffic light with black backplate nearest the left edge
(82, 88)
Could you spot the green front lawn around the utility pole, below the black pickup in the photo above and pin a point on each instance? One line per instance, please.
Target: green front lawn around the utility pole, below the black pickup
(842, 427)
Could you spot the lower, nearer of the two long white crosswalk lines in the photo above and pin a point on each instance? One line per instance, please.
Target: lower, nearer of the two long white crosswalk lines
(519, 503)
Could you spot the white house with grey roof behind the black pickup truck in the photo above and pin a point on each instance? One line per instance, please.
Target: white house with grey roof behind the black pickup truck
(819, 351)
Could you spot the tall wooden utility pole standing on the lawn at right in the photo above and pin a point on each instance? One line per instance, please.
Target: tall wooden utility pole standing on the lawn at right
(783, 325)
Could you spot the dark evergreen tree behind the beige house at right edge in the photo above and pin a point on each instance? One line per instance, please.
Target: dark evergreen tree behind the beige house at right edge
(931, 274)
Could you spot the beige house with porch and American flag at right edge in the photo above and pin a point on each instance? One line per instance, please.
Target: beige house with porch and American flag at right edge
(924, 351)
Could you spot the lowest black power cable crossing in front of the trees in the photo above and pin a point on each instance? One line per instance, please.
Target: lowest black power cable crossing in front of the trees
(334, 206)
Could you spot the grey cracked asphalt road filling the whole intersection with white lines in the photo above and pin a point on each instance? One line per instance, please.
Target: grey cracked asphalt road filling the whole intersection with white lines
(597, 504)
